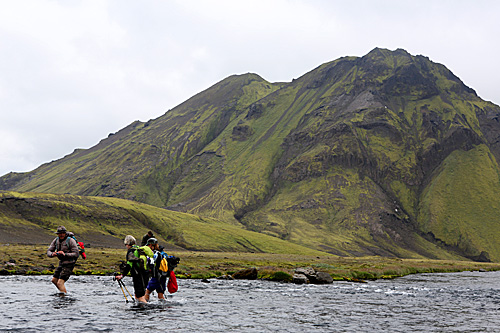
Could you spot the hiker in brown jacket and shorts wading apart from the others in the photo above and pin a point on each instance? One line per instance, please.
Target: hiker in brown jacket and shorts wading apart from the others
(66, 250)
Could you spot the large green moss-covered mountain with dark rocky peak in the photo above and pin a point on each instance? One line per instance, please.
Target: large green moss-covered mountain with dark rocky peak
(387, 154)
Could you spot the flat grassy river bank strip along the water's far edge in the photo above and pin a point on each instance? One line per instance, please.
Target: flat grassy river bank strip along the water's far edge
(32, 260)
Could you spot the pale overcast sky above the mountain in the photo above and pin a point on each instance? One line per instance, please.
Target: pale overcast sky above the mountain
(74, 71)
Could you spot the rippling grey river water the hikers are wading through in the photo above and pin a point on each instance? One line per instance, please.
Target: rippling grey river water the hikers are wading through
(456, 302)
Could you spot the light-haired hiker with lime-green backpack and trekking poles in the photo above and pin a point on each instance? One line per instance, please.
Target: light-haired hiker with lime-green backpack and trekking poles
(137, 265)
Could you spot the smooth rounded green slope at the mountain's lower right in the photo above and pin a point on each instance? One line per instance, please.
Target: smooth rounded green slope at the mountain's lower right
(460, 206)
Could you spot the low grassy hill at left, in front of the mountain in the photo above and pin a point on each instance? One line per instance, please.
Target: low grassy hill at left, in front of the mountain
(91, 217)
